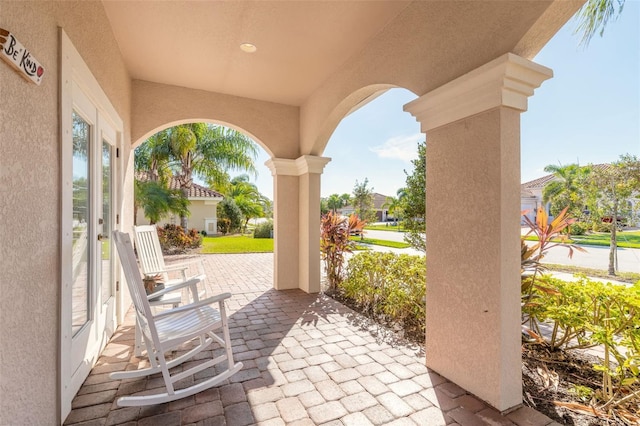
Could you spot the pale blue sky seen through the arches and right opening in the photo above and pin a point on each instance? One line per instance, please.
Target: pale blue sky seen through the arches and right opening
(588, 112)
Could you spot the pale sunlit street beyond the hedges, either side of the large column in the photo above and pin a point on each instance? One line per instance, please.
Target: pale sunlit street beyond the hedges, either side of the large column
(596, 257)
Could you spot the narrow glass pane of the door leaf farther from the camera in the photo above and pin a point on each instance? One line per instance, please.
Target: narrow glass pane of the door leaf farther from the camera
(106, 266)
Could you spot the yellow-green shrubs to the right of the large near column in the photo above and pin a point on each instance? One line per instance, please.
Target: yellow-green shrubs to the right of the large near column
(587, 313)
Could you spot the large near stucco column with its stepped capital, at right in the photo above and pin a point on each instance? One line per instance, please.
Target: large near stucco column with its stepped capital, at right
(472, 225)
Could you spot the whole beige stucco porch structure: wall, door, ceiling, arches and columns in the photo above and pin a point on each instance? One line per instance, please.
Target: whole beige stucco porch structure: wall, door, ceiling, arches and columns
(114, 73)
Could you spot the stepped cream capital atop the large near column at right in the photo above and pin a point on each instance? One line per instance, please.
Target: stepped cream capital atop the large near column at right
(508, 81)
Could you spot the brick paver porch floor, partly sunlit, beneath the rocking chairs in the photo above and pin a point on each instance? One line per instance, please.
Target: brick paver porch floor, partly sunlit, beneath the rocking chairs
(308, 360)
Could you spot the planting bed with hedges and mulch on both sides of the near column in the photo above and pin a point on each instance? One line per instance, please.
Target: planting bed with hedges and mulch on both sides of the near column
(564, 384)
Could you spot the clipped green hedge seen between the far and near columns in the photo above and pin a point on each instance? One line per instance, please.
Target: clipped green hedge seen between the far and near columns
(390, 287)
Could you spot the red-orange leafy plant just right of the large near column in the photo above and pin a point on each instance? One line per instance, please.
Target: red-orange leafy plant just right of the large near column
(549, 234)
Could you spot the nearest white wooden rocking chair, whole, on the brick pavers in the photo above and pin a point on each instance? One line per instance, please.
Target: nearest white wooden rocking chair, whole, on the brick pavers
(171, 329)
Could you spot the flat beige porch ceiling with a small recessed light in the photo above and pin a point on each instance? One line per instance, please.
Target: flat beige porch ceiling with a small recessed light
(197, 44)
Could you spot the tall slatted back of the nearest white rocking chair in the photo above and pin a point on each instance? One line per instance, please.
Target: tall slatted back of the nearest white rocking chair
(134, 282)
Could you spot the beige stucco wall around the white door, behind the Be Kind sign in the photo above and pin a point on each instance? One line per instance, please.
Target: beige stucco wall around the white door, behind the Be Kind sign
(30, 197)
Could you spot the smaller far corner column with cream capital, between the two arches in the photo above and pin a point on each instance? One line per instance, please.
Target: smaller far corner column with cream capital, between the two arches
(297, 221)
